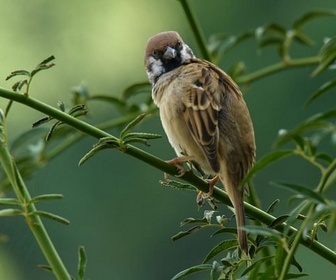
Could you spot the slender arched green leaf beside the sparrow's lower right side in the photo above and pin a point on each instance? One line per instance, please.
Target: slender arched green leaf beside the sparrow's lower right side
(265, 161)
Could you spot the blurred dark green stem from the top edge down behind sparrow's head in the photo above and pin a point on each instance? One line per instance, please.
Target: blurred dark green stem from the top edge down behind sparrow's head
(201, 42)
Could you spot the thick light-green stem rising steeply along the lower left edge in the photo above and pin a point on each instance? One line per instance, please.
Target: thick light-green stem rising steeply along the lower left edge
(34, 222)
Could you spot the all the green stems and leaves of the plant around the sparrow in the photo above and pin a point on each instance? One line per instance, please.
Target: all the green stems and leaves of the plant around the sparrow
(273, 241)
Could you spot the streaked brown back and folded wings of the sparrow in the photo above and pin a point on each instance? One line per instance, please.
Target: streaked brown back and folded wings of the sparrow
(218, 119)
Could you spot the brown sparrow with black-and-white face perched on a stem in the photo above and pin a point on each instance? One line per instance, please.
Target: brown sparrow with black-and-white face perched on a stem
(204, 116)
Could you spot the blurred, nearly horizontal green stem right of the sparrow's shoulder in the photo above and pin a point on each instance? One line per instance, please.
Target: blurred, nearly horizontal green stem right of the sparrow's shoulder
(293, 63)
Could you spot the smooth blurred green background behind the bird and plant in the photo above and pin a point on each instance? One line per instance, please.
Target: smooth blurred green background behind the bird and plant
(117, 208)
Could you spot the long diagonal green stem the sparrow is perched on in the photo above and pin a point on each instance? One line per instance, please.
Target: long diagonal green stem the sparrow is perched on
(218, 194)
